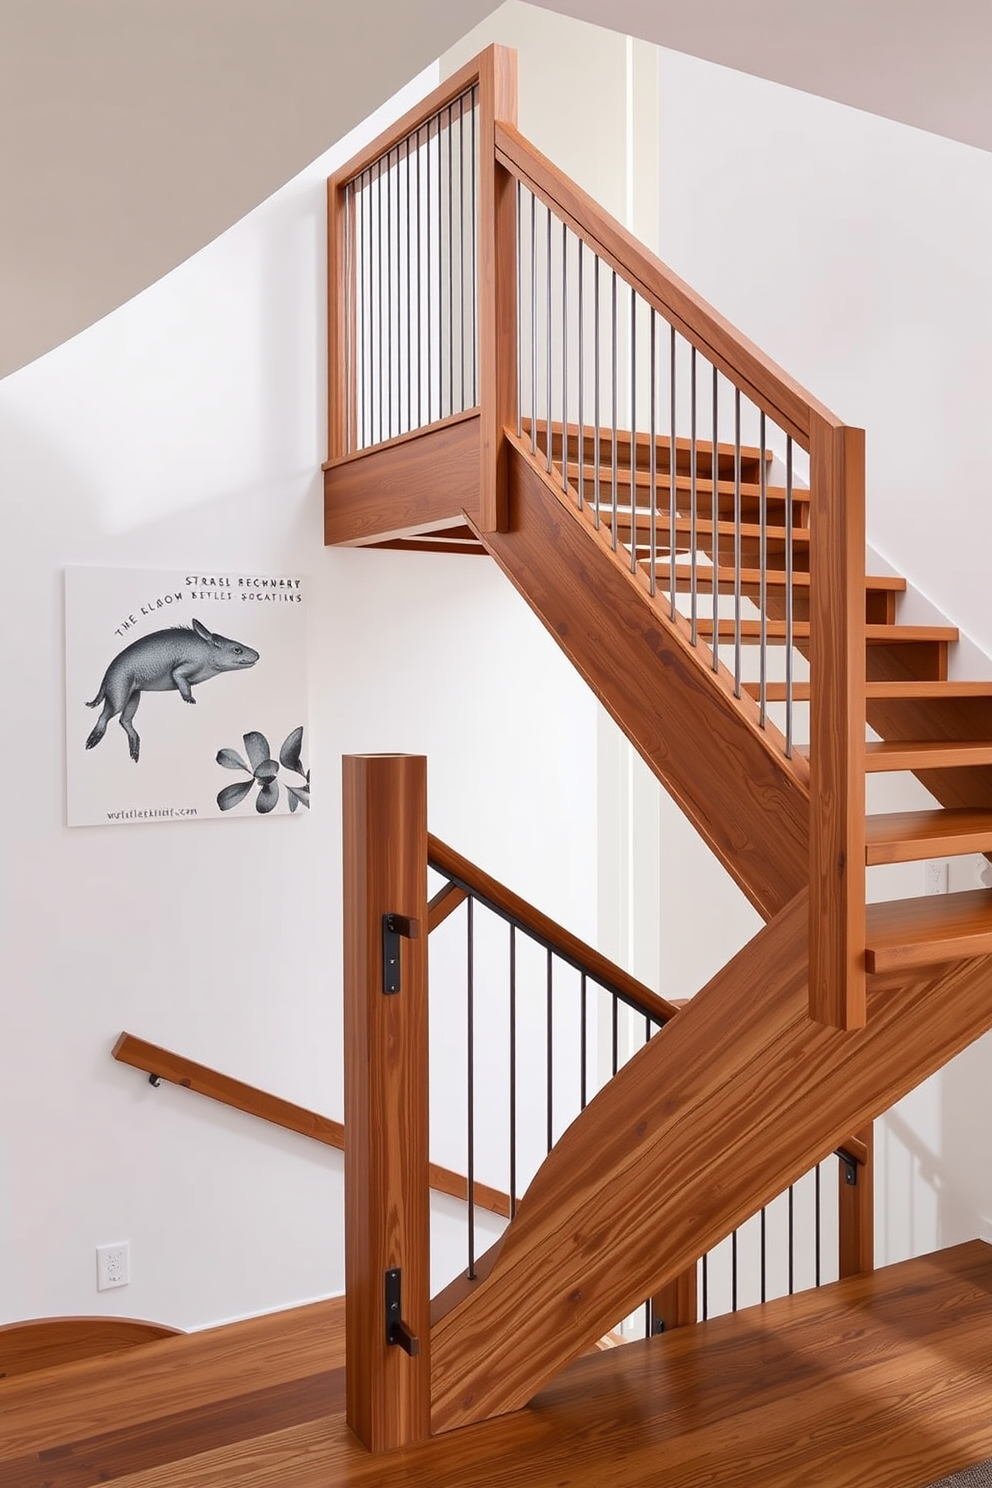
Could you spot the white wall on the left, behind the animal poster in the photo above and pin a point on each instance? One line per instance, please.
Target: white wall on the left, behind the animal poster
(188, 429)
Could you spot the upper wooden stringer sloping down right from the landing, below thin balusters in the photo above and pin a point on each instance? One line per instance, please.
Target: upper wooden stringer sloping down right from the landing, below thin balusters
(732, 782)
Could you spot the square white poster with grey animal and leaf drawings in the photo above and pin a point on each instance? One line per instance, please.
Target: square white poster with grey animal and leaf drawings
(185, 697)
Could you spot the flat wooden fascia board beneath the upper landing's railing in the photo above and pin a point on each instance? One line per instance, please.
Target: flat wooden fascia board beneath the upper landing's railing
(405, 487)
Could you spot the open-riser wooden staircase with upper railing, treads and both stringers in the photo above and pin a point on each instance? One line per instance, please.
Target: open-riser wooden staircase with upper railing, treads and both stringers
(512, 374)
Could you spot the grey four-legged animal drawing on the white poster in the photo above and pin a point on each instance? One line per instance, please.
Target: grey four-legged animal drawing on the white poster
(176, 660)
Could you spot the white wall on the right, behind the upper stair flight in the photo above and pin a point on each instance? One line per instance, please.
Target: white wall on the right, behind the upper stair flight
(857, 252)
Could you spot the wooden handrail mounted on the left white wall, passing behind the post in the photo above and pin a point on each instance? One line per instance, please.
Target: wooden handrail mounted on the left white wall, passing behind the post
(164, 1065)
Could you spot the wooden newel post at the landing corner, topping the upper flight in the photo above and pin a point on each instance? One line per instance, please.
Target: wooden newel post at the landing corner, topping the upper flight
(497, 288)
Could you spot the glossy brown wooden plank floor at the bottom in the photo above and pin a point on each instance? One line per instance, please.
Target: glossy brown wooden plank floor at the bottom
(878, 1383)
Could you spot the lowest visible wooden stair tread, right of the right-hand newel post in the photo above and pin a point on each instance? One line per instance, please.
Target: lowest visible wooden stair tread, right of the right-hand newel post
(906, 934)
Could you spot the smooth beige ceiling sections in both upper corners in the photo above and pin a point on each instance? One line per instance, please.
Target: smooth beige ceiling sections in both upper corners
(135, 133)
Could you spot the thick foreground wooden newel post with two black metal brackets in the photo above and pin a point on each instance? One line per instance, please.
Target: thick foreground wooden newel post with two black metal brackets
(387, 1197)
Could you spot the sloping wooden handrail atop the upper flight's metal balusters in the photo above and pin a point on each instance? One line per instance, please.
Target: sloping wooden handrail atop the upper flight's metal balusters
(764, 382)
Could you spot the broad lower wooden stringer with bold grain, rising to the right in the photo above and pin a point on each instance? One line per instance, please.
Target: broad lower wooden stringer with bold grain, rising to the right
(728, 1105)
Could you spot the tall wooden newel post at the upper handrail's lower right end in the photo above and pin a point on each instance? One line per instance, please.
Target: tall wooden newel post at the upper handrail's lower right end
(837, 725)
